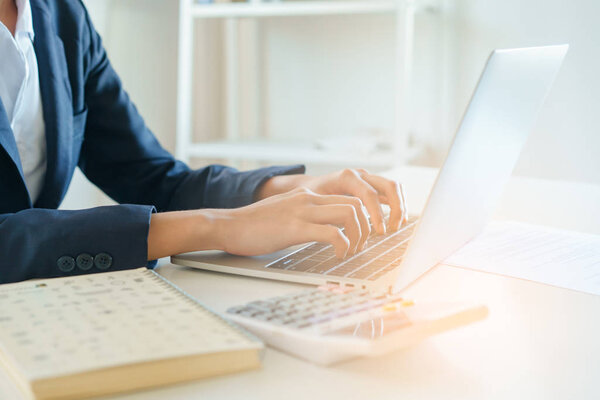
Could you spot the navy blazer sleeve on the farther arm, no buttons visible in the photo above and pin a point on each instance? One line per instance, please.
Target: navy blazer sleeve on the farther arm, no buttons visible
(123, 158)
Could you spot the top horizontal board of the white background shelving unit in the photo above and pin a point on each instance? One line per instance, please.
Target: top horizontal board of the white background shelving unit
(293, 8)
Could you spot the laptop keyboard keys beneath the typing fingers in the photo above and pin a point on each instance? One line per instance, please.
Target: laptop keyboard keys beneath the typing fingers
(382, 253)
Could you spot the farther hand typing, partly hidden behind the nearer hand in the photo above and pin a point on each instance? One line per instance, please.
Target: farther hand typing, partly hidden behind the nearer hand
(372, 190)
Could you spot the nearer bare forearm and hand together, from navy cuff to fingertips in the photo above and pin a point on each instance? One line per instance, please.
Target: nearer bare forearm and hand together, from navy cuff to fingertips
(280, 221)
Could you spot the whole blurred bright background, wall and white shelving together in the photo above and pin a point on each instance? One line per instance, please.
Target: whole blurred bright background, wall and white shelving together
(357, 83)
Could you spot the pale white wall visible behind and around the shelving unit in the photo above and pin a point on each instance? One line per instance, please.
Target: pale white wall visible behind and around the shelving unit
(332, 76)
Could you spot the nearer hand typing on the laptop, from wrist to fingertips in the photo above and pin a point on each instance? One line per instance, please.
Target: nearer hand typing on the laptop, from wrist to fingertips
(295, 217)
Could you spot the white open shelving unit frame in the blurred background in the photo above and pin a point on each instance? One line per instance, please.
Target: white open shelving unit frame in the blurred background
(267, 150)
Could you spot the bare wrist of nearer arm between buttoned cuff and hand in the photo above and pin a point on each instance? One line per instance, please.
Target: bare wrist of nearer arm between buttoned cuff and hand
(183, 231)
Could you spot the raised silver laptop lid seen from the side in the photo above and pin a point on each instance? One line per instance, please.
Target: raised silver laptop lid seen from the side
(487, 144)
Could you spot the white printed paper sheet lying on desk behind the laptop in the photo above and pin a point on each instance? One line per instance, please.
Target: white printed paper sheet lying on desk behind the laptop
(556, 257)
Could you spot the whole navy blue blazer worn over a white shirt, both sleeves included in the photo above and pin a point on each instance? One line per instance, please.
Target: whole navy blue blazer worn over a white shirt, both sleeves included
(91, 123)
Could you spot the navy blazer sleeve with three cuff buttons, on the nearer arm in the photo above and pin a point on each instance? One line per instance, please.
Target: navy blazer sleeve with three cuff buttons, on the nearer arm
(44, 243)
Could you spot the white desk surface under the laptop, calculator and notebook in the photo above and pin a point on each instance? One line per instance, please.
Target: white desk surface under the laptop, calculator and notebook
(538, 342)
